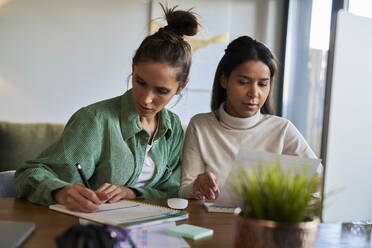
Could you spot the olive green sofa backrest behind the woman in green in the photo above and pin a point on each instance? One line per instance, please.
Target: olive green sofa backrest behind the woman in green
(24, 141)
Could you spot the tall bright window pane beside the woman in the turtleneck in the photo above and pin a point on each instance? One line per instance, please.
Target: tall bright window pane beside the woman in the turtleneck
(308, 34)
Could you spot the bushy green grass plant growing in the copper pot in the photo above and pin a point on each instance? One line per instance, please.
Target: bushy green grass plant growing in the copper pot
(272, 193)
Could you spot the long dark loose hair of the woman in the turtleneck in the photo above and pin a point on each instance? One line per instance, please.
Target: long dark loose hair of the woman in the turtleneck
(241, 50)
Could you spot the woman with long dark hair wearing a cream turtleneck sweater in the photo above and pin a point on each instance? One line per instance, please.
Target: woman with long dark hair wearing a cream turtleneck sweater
(241, 117)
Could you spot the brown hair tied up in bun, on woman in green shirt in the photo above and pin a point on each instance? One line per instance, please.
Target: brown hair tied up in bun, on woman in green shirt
(167, 44)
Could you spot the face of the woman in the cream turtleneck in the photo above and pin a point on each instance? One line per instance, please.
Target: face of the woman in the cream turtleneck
(247, 88)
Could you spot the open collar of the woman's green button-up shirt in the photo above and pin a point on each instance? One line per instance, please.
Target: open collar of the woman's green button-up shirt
(130, 121)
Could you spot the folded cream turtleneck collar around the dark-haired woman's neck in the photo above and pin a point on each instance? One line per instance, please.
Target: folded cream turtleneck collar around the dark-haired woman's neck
(232, 122)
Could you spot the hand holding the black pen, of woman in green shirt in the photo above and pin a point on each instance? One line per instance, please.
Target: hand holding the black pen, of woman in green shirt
(79, 198)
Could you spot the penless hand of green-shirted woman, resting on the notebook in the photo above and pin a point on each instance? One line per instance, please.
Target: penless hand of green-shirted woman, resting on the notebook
(116, 193)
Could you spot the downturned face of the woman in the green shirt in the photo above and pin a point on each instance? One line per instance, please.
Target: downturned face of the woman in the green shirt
(154, 85)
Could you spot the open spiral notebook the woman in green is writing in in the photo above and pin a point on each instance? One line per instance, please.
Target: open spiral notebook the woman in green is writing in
(127, 213)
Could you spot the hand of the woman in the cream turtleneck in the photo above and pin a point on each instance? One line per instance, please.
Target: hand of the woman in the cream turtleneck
(205, 186)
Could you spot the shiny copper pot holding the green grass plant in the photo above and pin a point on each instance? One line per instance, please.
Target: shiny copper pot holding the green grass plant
(270, 234)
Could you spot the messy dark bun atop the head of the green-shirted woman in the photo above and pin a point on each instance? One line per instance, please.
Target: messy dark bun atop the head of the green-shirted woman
(180, 22)
